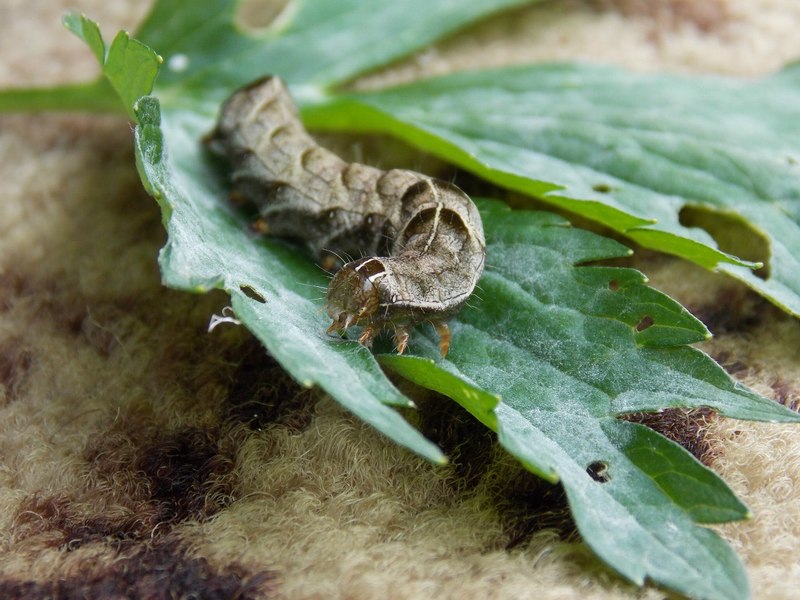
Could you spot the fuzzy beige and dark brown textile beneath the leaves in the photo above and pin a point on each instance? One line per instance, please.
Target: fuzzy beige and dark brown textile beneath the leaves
(141, 456)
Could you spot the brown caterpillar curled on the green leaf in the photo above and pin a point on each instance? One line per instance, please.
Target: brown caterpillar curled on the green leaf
(423, 237)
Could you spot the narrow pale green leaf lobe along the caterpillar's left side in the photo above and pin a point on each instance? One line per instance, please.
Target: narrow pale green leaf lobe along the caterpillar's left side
(274, 291)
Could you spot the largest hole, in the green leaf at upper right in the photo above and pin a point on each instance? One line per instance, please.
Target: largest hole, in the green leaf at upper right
(732, 234)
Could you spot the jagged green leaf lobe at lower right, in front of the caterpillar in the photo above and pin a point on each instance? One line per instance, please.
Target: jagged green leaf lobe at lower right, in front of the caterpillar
(549, 337)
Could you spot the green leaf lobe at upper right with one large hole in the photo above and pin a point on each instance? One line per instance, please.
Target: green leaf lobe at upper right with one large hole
(625, 149)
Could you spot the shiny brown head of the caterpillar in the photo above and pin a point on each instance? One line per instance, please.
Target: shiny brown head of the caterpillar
(353, 295)
